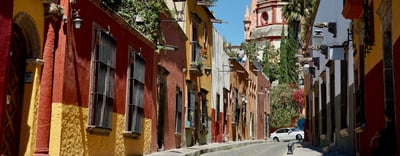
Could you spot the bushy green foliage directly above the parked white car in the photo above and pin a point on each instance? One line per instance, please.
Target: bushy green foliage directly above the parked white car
(284, 108)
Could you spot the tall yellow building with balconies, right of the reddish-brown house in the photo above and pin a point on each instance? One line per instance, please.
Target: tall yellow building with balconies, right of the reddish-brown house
(198, 28)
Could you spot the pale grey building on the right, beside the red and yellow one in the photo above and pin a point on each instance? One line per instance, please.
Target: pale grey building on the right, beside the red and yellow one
(330, 98)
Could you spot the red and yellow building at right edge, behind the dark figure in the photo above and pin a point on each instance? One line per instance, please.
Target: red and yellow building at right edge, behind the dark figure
(376, 79)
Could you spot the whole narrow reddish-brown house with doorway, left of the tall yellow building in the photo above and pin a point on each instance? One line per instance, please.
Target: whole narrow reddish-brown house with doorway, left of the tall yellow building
(170, 88)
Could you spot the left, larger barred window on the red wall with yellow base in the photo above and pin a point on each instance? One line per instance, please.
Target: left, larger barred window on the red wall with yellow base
(102, 83)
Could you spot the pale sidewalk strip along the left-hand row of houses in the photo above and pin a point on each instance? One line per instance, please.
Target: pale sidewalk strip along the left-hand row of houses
(201, 149)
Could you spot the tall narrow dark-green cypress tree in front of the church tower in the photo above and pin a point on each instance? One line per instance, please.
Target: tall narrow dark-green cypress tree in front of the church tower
(288, 50)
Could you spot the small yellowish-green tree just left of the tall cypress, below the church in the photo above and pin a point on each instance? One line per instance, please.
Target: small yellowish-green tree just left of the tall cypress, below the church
(270, 64)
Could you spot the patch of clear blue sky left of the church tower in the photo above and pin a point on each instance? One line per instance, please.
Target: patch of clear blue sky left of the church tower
(231, 12)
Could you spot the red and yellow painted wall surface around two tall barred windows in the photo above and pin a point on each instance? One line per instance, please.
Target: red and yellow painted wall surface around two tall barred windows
(69, 116)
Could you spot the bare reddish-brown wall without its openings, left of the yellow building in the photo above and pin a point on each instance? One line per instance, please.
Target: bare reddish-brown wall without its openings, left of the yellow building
(173, 62)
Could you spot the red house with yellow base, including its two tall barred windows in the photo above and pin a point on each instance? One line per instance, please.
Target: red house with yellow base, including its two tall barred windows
(103, 92)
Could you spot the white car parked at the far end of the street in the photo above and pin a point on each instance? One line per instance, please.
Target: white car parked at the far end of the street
(287, 134)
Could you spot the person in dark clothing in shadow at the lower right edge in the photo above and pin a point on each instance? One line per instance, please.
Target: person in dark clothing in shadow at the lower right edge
(384, 141)
